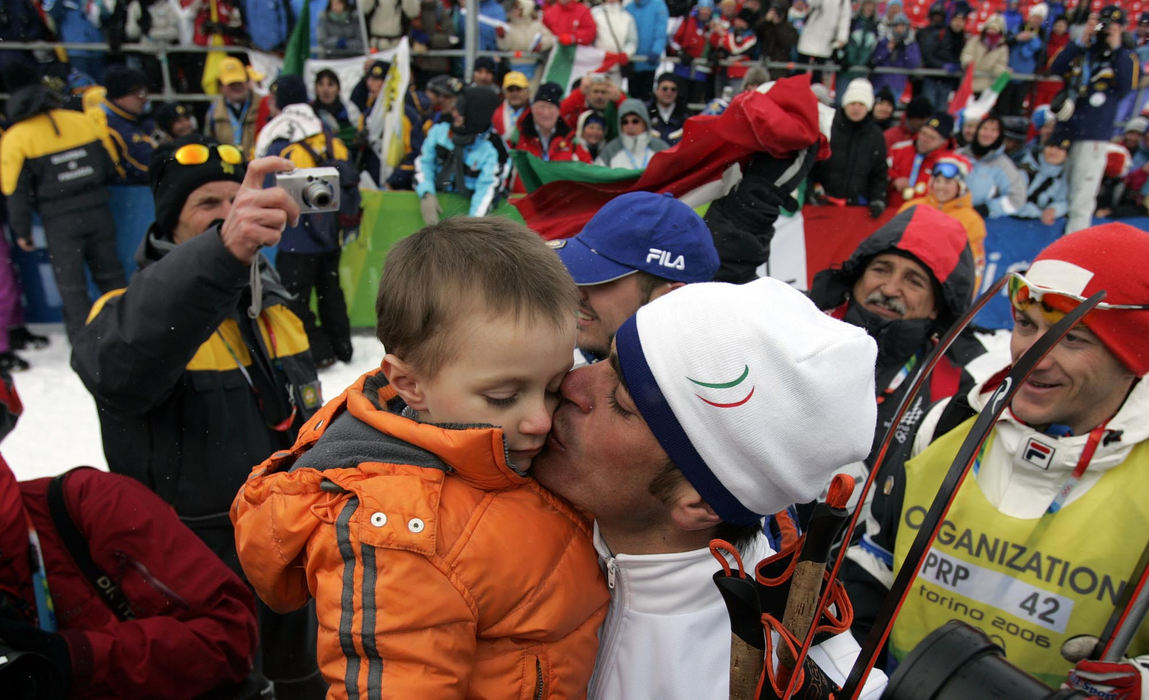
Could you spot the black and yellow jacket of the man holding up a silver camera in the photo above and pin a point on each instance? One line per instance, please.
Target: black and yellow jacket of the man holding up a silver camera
(191, 391)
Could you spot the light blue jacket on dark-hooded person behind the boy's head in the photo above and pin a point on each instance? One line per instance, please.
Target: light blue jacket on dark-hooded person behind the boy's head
(481, 160)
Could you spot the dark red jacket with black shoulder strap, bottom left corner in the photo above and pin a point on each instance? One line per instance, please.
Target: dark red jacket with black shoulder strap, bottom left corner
(195, 627)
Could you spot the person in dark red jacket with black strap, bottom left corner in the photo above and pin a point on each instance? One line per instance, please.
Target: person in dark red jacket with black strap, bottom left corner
(182, 626)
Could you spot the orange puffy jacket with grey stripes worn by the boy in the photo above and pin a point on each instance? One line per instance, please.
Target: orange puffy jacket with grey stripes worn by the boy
(437, 571)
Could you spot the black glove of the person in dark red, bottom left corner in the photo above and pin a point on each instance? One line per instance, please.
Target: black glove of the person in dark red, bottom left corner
(40, 680)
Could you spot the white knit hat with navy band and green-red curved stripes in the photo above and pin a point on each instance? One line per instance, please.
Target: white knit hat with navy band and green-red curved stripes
(755, 395)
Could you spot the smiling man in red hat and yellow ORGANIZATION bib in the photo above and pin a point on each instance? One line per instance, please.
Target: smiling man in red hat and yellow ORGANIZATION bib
(1022, 556)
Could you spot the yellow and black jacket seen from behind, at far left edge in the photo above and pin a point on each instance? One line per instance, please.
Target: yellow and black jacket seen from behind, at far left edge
(52, 161)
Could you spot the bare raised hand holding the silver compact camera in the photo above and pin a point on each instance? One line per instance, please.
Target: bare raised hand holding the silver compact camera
(259, 217)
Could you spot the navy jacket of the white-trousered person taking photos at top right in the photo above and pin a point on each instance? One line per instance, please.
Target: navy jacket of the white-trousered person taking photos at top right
(1104, 80)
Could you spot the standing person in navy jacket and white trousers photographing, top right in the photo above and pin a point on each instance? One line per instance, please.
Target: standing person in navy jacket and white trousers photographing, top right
(1099, 71)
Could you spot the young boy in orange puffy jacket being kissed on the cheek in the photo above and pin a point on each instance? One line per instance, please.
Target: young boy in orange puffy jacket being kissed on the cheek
(439, 567)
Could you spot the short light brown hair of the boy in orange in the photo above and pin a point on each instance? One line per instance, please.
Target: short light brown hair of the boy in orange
(462, 267)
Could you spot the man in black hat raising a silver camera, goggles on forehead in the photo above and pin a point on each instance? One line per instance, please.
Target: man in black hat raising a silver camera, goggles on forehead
(191, 390)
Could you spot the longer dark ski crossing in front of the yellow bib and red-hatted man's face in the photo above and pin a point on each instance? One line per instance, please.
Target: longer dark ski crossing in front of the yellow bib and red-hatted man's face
(948, 490)
